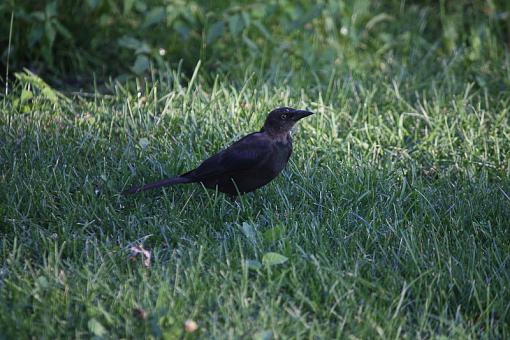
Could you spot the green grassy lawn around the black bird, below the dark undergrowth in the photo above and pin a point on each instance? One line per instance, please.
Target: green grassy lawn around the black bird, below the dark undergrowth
(391, 219)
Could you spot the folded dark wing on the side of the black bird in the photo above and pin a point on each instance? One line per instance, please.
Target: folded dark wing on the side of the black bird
(245, 154)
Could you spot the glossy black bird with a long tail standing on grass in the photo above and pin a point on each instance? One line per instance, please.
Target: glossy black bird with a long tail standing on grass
(249, 163)
